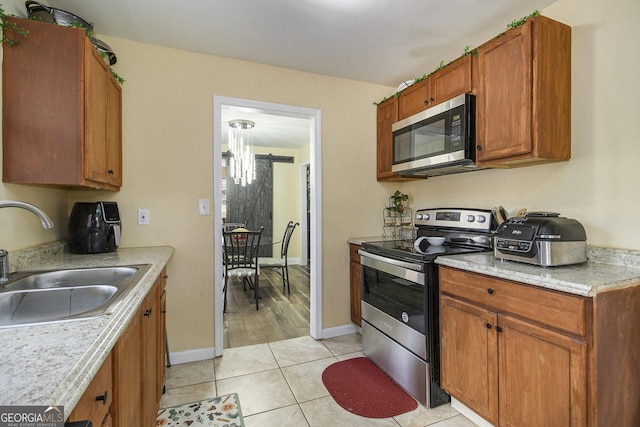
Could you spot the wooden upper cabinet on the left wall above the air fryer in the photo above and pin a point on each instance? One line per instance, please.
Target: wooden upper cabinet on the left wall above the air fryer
(62, 111)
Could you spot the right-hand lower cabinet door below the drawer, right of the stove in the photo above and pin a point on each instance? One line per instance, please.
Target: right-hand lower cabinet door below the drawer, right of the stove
(542, 376)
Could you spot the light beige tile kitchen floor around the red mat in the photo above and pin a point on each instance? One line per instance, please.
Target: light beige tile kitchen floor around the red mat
(280, 384)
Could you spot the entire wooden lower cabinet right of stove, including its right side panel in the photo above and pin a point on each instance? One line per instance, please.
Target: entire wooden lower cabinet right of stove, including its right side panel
(522, 355)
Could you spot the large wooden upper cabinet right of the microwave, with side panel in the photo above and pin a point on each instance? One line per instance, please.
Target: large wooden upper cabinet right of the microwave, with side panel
(524, 95)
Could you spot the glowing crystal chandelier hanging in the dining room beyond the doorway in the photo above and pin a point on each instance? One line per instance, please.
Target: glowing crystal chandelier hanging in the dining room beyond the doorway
(242, 162)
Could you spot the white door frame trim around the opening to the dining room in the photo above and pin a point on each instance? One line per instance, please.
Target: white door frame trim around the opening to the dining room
(315, 240)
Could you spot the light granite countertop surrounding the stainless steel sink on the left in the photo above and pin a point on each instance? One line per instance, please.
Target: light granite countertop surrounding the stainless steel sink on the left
(53, 364)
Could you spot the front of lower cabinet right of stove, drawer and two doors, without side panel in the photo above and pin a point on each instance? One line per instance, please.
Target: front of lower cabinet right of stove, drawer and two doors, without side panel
(513, 367)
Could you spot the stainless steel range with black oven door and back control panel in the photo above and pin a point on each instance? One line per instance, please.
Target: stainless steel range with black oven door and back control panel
(400, 316)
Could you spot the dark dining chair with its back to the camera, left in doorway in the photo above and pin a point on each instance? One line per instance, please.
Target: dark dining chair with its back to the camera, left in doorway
(240, 259)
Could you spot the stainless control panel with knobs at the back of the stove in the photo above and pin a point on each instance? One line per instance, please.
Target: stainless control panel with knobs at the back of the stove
(469, 219)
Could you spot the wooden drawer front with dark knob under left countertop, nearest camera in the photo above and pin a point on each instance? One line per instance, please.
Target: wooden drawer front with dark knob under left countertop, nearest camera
(95, 403)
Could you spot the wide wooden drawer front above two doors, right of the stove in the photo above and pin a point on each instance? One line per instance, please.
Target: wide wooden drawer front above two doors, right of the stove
(556, 309)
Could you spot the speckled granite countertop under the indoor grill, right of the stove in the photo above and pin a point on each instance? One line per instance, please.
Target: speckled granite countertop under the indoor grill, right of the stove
(606, 269)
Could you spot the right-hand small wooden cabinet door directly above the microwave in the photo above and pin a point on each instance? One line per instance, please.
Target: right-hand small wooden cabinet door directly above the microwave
(451, 81)
